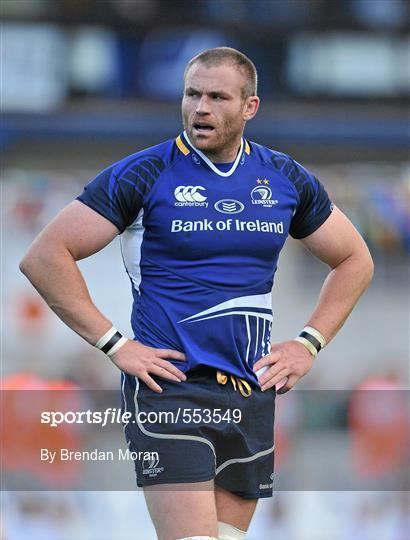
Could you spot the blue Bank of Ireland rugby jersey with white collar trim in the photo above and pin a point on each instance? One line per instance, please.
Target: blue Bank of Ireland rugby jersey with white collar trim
(201, 242)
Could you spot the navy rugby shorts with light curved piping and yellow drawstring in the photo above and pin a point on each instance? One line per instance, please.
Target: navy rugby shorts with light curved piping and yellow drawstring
(211, 426)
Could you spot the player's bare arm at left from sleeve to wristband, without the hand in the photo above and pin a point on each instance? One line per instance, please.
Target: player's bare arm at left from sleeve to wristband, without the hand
(50, 264)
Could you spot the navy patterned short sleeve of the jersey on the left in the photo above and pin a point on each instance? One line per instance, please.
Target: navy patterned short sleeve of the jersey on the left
(118, 192)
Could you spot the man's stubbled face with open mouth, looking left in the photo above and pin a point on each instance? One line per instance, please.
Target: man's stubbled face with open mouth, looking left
(214, 111)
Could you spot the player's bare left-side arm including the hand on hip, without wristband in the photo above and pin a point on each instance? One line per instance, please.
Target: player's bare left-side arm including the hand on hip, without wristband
(50, 264)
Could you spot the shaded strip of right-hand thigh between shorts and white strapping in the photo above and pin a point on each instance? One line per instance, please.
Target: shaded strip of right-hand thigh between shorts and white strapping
(233, 509)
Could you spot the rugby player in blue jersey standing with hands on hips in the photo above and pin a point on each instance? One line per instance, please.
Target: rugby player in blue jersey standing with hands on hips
(203, 218)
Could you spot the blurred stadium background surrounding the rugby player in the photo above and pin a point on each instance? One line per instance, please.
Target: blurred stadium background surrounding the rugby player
(84, 83)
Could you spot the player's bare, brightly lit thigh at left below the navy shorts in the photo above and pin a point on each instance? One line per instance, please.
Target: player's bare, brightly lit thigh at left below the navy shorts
(180, 510)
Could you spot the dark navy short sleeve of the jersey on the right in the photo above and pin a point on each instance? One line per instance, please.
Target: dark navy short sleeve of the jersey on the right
(314, 205)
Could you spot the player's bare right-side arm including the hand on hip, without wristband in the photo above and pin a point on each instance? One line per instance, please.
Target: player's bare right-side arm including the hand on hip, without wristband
(338, 244)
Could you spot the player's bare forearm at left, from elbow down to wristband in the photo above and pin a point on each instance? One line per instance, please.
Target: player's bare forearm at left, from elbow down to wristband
(56, 276)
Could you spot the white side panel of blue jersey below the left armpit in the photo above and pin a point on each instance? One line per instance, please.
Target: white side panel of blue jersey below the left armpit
(130, 241)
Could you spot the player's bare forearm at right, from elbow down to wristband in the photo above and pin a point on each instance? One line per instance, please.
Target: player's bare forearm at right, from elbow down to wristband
(340, 292)
